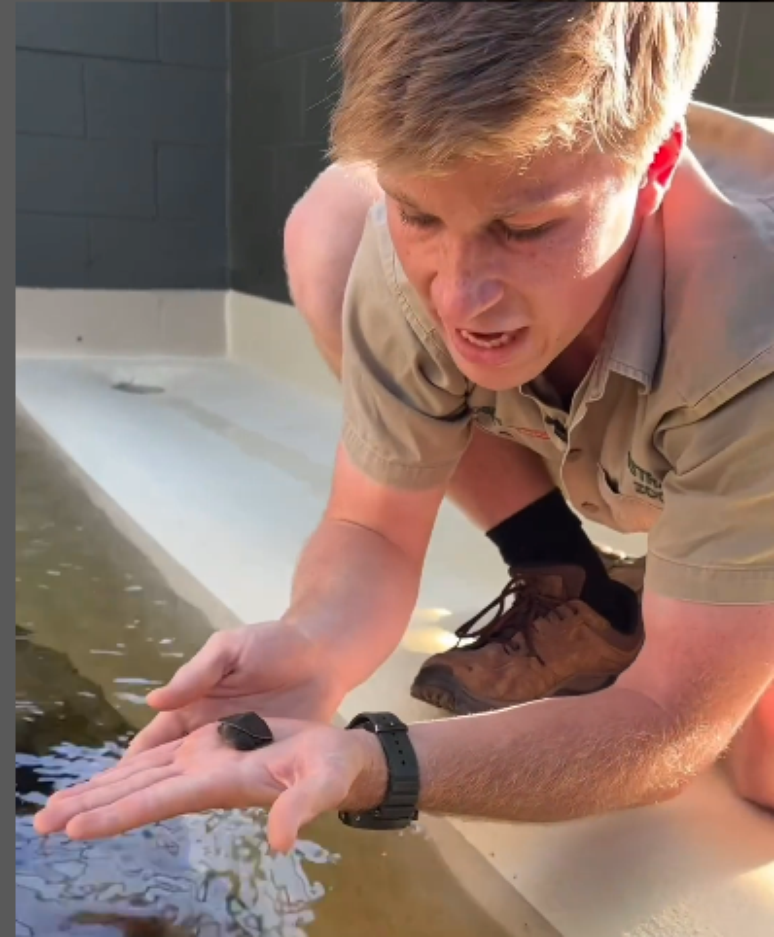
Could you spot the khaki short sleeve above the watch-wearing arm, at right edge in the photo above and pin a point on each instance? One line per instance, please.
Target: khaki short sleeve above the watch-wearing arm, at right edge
(714, 542)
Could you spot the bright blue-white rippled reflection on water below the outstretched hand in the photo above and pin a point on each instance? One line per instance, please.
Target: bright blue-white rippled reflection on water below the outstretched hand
(205, 874)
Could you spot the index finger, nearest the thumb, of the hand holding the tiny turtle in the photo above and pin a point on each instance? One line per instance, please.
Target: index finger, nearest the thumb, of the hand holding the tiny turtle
(162, 801)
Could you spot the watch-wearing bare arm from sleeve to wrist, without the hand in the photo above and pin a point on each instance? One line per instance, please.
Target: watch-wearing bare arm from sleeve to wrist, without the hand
(669, 717)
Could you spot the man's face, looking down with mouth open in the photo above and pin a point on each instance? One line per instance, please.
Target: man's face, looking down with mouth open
(514, 267)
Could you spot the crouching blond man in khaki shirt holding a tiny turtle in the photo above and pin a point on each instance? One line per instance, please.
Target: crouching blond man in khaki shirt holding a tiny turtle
(564, 292)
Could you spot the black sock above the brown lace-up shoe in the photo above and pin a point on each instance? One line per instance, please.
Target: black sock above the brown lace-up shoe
(548, 532)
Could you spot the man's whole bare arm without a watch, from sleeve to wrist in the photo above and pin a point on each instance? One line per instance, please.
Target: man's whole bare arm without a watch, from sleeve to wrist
(357, 580)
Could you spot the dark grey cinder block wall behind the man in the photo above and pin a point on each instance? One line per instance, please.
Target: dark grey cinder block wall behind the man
(136, 168)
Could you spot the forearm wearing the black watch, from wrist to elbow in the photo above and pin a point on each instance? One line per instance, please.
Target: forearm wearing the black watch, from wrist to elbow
(548, 761)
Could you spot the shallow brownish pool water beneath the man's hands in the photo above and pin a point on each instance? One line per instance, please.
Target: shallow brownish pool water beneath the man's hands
(96, 627)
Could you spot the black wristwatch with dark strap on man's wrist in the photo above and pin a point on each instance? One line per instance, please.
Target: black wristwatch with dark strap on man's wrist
(399, 808)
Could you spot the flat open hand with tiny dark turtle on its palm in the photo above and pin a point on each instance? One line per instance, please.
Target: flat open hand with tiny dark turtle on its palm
(308, 770)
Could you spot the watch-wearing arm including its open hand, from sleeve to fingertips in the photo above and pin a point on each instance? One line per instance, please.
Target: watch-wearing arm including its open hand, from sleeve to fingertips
(700, 675)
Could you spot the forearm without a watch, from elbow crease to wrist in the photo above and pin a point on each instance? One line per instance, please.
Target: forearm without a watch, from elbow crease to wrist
(353, 595)
